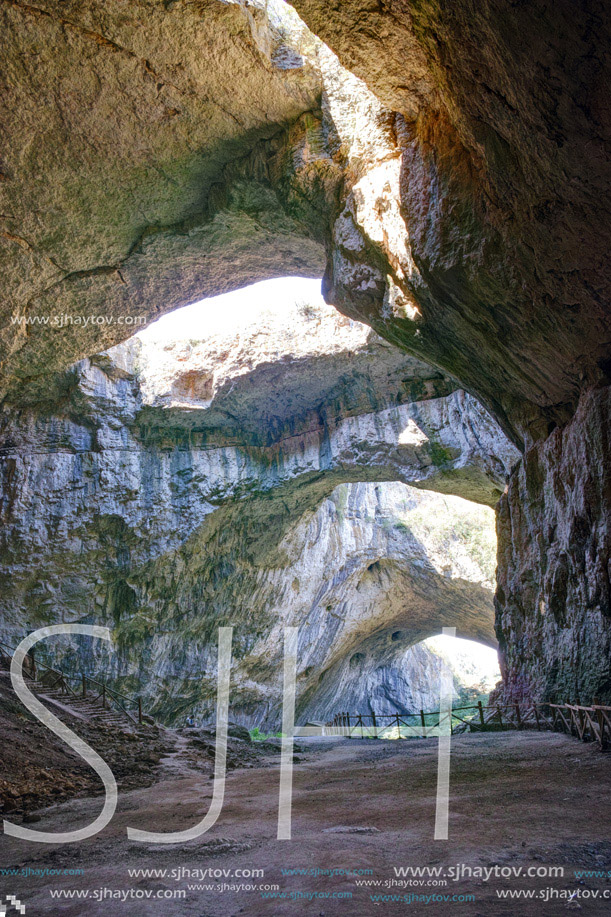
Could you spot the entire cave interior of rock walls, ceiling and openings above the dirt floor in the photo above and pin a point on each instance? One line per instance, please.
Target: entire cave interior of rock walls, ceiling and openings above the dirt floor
(419, 438)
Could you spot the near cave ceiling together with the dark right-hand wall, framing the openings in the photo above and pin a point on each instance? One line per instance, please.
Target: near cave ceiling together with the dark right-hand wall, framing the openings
(447, 172)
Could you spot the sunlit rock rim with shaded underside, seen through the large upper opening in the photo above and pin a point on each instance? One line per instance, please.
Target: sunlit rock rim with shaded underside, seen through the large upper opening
(264, 373)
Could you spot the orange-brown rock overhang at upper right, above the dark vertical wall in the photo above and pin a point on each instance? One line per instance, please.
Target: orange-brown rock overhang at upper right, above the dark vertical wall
(489, 234)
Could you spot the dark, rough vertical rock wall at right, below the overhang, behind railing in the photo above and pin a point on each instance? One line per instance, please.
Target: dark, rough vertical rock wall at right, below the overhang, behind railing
(554, 599)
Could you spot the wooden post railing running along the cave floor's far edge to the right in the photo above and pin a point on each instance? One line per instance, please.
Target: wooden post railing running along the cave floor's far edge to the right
(588, 723)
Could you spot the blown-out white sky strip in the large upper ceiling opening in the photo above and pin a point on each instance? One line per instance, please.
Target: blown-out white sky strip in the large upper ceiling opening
(240, 308)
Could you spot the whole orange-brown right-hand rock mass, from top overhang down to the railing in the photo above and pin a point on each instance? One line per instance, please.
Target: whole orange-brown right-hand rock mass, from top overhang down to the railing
(483, 245)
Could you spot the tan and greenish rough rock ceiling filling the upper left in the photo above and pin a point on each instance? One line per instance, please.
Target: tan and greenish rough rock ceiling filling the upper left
(154, 126)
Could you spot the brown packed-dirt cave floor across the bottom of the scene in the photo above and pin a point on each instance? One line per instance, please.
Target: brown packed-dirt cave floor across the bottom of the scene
(516, 800)
